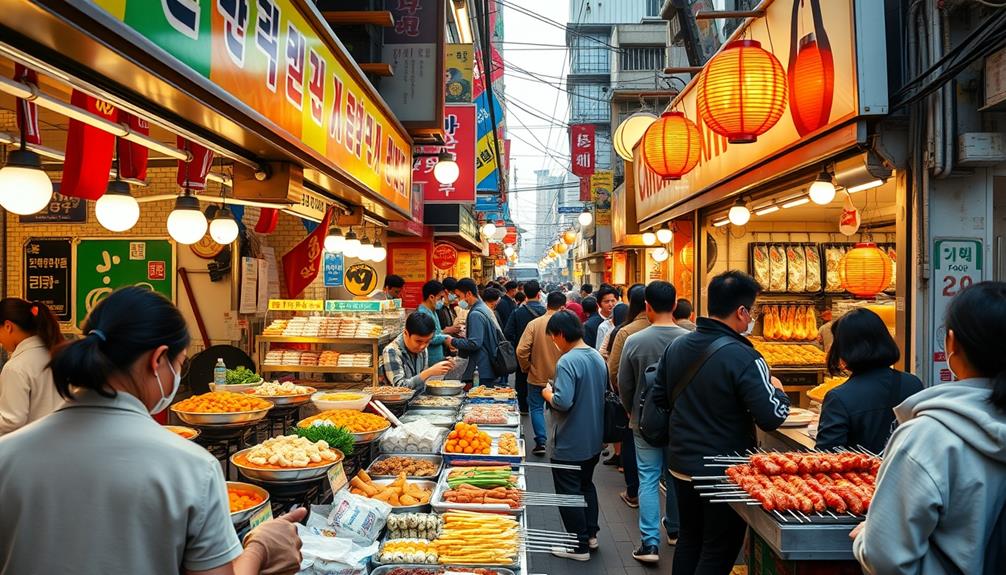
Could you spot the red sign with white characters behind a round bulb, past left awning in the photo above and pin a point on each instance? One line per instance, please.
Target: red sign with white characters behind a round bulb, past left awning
(459, 136)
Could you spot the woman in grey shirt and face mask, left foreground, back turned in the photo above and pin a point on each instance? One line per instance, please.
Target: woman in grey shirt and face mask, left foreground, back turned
(98, 487)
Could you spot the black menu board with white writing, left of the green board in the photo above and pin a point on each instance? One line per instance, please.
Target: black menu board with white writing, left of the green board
(48, 276)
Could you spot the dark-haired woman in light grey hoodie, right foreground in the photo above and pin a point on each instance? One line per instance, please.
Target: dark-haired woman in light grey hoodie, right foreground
(941, 493)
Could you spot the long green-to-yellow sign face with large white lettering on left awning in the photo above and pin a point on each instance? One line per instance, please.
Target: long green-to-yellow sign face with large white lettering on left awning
(270, 57)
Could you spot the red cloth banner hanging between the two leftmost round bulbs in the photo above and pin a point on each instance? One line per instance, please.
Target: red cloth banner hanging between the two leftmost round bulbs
(89, 151)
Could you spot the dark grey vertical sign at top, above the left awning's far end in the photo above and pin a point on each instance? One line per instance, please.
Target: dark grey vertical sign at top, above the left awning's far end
(415, 49)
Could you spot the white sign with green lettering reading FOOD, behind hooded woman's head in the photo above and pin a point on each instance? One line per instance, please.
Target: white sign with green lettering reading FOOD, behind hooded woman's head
(958, 266)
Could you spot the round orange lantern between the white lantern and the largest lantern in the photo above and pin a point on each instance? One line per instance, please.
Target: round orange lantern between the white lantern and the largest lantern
(672, 146)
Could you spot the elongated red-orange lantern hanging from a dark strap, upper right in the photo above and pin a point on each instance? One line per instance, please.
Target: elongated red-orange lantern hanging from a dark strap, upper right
(812, 86)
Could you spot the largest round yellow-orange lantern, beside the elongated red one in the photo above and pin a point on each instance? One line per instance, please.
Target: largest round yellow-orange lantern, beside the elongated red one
(742, 94)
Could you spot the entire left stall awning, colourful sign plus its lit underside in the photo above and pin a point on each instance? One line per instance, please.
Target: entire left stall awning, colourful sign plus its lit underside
(243, 92)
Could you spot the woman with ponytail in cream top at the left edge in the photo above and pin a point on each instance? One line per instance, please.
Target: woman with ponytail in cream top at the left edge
(30, 334)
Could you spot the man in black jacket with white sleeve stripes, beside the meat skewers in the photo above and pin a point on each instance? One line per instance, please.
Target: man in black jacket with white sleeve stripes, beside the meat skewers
(716, 415)
